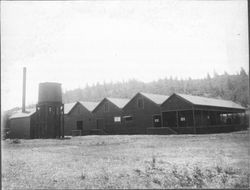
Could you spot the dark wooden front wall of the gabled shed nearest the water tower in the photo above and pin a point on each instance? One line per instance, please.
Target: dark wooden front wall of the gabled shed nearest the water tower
(78, 113)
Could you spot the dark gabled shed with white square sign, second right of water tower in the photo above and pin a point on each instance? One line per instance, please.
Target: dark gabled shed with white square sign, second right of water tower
(108, 114)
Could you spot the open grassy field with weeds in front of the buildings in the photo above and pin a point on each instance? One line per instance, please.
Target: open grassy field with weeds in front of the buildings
(139, 161)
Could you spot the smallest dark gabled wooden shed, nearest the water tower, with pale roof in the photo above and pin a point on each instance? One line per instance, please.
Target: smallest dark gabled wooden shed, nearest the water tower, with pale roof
(78, 118)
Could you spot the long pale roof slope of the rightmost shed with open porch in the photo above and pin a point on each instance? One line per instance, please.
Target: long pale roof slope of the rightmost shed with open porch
(198, 100)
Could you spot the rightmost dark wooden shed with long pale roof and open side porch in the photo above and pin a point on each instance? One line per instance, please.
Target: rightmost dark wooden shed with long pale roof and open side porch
(195, 114)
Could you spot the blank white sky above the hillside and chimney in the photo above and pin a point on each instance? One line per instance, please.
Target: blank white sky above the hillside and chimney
(80, 42)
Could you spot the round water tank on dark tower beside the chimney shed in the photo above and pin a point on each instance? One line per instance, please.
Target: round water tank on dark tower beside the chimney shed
(49, 111)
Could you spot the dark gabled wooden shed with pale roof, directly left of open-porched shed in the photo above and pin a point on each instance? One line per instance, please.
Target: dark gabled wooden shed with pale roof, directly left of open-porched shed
(143, 112)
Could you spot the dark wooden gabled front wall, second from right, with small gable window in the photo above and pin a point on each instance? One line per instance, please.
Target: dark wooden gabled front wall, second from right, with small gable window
(142, 117)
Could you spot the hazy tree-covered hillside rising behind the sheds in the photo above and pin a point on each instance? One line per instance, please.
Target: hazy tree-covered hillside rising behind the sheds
(233, 87)
